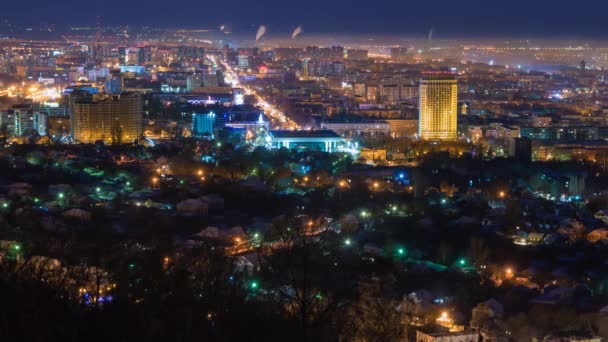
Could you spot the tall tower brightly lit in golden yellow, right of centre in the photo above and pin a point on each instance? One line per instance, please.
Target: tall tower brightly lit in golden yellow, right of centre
(438, 106)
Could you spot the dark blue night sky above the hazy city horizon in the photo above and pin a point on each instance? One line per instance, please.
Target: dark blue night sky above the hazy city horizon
(447, 17)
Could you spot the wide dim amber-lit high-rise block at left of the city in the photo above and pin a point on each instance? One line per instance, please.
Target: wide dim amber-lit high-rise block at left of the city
(115, 119)
